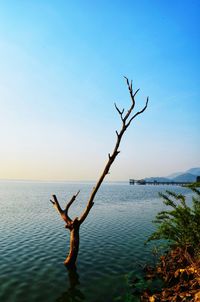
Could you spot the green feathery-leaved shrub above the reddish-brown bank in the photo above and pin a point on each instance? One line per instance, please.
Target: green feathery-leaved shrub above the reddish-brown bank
(179, 223)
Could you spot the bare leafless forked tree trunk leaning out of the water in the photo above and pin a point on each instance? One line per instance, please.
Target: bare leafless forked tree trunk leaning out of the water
(73, 225)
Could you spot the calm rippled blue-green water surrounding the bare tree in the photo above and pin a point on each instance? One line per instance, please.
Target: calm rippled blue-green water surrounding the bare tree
(34, 242)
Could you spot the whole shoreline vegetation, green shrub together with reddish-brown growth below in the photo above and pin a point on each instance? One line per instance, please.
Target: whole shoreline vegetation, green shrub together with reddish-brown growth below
(179, 268)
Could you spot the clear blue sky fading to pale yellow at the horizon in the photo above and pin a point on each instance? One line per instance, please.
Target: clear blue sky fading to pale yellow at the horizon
(61, 70)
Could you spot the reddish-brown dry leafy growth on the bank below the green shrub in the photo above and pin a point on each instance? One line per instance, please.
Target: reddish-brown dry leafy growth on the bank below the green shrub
(179, 269)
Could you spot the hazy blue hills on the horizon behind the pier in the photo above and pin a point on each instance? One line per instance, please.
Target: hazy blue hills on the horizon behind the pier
(187, 176)
